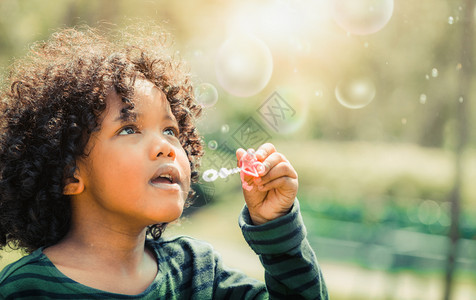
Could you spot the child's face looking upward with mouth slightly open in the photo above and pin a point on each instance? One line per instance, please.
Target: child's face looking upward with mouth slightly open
(137, 170)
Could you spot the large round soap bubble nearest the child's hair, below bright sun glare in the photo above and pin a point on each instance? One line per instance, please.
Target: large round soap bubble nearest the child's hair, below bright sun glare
(244, 65)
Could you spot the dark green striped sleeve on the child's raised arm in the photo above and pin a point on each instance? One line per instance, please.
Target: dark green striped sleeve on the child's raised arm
(291, 267)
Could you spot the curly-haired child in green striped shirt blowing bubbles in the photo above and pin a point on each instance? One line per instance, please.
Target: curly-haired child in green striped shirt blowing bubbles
(98, 149)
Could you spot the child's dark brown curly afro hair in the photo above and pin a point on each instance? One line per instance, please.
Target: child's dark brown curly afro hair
(52, 103)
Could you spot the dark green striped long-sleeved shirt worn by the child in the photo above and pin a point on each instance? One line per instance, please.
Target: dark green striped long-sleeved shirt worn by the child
(190, 269)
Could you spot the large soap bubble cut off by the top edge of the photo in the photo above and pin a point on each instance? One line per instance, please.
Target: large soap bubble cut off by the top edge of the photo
(362, 16)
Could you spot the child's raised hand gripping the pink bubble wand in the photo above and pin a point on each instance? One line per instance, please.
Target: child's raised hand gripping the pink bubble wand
(274, 192)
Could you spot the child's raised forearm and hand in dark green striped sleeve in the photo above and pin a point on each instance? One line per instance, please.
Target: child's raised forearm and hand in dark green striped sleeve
(273, 227)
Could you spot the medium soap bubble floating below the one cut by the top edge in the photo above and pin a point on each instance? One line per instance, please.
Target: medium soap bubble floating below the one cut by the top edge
(355, 93)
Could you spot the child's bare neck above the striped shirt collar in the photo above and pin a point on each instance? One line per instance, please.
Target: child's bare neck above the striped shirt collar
(105, 259)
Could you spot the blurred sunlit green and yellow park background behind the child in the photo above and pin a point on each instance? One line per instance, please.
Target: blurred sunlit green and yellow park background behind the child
(370, 100)
